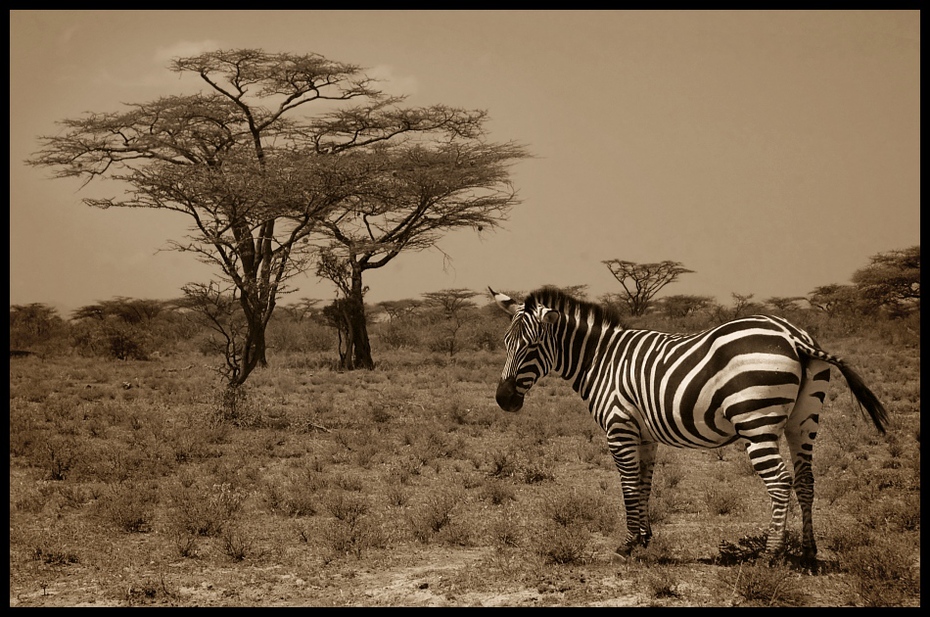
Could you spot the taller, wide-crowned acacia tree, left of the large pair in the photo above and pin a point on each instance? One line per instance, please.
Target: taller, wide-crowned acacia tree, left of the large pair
(254, 173)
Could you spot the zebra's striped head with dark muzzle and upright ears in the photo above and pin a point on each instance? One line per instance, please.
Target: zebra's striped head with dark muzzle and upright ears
(530, 343)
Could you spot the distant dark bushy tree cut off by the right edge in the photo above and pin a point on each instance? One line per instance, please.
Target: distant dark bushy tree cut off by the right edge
(891, 280)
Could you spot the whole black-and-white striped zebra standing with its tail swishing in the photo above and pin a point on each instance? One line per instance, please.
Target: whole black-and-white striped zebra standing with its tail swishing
(754, 378)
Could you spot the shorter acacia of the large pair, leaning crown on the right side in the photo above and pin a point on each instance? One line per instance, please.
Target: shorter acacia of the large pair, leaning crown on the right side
(415, 193)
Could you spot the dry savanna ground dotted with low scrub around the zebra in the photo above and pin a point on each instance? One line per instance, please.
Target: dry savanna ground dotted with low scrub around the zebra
(135, 483)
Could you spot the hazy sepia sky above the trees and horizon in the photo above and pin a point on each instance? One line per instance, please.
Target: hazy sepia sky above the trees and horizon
(769, 152)
